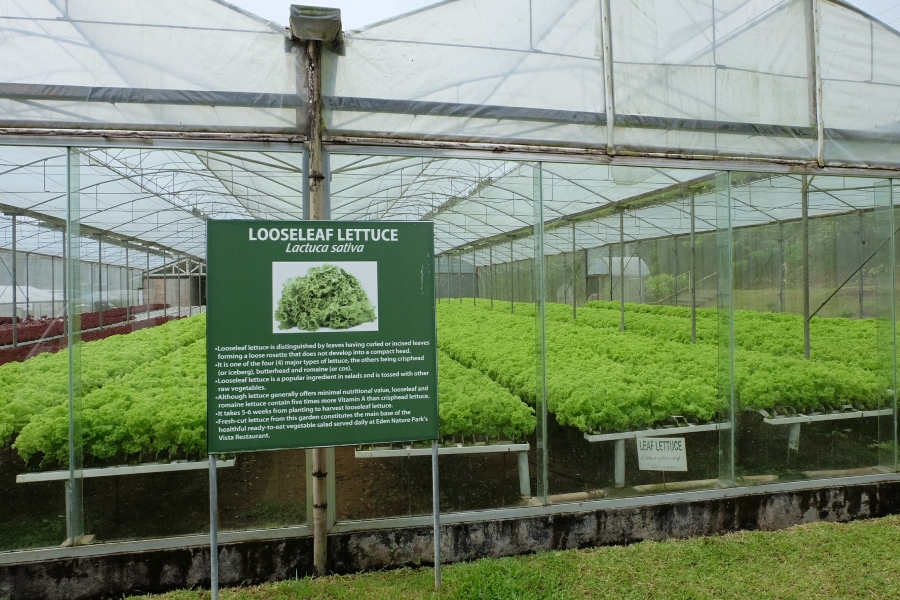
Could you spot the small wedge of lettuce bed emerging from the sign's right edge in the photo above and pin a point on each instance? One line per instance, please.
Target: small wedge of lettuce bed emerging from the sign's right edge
(472, 404)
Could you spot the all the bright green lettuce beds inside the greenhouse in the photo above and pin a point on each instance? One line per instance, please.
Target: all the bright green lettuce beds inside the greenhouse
(143, 395)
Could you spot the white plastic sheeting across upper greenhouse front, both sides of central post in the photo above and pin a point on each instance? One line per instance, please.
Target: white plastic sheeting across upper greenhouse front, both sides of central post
(694, 77)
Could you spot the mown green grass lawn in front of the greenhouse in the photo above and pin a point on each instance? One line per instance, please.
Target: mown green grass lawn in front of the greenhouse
(823, 560)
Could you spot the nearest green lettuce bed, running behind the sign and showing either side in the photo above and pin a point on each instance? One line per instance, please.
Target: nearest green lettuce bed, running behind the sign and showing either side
(144, 397)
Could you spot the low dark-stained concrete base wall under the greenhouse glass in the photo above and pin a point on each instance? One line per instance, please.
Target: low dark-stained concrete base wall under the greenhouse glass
(244, 563)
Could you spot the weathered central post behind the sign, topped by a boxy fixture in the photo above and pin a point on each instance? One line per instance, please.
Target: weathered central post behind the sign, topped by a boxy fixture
(317, 213)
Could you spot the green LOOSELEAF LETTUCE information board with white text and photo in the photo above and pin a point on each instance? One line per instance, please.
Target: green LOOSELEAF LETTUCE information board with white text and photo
(320, 333)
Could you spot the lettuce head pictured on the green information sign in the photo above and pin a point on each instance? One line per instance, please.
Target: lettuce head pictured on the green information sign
(326, 296)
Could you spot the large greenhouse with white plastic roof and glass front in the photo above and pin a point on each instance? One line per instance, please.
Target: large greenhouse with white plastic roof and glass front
(652, 220)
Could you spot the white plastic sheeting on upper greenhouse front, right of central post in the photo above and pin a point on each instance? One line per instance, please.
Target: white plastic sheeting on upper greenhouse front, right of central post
(695, 77)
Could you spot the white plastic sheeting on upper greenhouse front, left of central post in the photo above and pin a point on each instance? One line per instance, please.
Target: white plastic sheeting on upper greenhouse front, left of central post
(144, 65)
